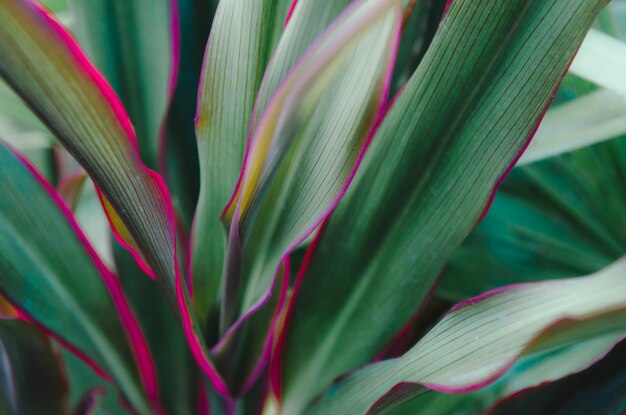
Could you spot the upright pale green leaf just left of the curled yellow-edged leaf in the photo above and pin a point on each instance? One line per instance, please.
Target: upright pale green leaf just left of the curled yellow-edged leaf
(235, 59)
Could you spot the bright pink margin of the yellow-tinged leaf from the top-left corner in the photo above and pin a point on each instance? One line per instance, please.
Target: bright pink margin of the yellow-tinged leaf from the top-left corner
(129, 144)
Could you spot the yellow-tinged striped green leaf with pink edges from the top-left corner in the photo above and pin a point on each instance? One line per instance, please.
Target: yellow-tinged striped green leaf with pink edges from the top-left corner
(80, 107)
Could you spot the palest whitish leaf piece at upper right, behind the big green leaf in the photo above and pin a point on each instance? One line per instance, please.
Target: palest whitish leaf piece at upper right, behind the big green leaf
(601, 60)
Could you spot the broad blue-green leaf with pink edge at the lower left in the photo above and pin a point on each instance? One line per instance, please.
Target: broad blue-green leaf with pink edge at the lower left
(50, 272)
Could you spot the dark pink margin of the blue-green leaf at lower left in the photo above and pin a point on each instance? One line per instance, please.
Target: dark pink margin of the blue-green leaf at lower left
(138, 343)
